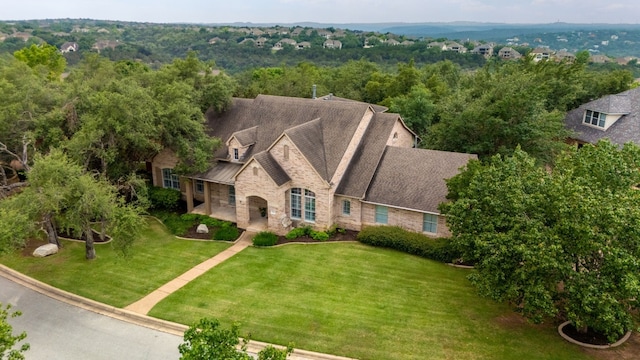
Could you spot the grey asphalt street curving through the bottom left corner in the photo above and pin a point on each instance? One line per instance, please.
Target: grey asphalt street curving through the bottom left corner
(56, 330)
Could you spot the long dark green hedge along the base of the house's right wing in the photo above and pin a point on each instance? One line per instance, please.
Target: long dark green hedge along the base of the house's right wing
(394, 237)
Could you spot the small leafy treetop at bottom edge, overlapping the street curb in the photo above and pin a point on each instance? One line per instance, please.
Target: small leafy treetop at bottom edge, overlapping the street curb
(206, 340)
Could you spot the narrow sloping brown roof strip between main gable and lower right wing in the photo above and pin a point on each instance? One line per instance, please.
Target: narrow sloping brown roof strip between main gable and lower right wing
(367, 156)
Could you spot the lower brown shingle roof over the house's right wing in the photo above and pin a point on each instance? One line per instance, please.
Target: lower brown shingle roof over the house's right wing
(414, 178)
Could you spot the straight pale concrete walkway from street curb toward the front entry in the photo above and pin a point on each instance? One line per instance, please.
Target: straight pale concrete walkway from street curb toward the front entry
(144, 305)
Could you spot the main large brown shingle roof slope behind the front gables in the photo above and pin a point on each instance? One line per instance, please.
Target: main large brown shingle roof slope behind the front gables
(275, 114)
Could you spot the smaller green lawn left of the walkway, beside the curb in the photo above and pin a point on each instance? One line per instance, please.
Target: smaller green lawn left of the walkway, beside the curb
(154, 259)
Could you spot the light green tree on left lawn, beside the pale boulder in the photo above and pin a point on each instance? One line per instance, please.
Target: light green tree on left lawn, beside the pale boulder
(61, 195)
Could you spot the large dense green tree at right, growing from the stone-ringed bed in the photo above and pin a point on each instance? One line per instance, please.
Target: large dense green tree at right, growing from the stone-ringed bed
(555, 242)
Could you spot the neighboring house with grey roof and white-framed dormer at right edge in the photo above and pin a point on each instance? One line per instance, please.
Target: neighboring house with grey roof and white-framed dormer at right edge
(615, 117)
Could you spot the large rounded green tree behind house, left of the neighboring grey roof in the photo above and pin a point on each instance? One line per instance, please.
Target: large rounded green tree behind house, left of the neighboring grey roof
(497, 111)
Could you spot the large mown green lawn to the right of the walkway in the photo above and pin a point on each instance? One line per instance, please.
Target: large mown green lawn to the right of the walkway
(362, 302)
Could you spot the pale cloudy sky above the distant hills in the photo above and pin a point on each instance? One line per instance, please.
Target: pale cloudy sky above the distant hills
(329, 11)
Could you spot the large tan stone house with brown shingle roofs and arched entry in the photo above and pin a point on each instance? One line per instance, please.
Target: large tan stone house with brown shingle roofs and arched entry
(324, 162)
